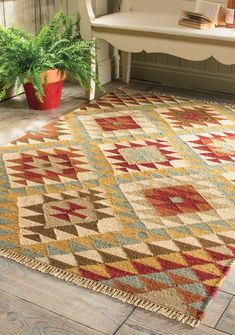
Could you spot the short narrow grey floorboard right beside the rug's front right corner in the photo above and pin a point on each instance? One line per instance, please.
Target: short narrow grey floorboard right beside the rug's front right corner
(217, 308)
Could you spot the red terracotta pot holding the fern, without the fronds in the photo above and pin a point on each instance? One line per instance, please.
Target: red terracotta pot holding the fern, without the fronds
(52, 91)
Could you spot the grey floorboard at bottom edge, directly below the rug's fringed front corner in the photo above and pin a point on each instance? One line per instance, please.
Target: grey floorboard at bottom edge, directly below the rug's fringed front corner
(144, 323)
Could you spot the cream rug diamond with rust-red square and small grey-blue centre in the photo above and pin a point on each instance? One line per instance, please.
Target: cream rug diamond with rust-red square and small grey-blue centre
(177, 201)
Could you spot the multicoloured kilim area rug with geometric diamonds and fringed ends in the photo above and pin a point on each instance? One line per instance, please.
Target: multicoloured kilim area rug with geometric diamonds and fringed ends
(132, 196)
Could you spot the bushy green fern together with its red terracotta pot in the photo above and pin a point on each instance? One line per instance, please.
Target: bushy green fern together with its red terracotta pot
(41, 62)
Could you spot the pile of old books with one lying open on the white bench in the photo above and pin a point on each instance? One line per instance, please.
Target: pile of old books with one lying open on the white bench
(206, 15)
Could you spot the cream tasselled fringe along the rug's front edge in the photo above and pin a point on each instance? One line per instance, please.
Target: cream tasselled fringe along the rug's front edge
(99, 287)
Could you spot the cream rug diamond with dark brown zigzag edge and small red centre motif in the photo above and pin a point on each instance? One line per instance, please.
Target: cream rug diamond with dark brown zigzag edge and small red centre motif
(61, 216)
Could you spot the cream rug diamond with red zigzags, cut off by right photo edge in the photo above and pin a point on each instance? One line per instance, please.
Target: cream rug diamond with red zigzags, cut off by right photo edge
(213, 148)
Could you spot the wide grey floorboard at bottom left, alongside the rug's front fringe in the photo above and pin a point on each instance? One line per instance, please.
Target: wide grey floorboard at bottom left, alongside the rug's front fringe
(91, 309)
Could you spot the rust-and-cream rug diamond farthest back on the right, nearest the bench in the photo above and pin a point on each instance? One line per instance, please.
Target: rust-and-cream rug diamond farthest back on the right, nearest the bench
(194, 116)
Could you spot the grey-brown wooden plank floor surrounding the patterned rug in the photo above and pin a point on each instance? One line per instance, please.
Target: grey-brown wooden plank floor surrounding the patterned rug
(35, 304)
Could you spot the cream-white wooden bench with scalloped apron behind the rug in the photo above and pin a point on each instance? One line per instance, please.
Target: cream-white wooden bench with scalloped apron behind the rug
(152, 26)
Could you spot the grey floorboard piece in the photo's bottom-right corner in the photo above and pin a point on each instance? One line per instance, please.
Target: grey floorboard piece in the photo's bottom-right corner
(227, 321)
